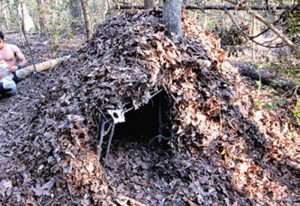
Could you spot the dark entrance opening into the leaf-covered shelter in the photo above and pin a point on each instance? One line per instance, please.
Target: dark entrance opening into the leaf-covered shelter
(149, 126)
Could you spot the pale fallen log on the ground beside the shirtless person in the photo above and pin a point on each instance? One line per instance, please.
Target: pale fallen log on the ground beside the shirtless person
(26, 71)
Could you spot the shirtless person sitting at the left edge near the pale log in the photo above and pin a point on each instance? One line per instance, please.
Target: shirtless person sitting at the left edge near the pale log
(11, 59)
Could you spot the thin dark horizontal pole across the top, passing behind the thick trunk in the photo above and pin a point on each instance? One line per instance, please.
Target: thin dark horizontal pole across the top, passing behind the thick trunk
(217, 7)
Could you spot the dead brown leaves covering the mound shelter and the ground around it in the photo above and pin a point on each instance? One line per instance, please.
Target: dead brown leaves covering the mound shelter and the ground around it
(224, 146)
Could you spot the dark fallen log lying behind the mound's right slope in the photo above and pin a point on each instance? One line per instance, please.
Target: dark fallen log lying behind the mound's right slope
(267, 78)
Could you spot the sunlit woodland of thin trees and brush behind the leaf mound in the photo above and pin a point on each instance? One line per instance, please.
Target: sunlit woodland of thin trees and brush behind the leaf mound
(61, 21)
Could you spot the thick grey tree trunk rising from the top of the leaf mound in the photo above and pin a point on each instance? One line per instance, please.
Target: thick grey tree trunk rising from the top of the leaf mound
(172, 16)
